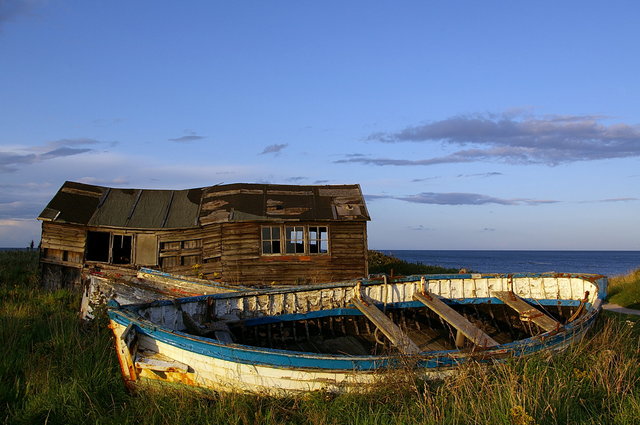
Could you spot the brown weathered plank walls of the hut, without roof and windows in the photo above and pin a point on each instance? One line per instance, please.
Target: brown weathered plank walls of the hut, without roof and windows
(231, 252)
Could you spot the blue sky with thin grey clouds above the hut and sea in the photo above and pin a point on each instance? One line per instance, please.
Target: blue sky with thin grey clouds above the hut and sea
(469, 125)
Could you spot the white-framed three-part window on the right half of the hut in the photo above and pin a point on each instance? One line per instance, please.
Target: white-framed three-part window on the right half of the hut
(296, 240)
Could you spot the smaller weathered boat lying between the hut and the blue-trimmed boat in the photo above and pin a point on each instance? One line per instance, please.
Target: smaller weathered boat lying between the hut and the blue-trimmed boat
(148, 285)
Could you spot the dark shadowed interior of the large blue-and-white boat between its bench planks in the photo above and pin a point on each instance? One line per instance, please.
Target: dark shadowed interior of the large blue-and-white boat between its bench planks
(356, 334)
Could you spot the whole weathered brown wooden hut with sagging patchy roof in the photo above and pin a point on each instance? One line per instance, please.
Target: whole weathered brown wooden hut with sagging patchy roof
(253, 234)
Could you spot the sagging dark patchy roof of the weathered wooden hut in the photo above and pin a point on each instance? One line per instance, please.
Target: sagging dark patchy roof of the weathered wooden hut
(84, 204)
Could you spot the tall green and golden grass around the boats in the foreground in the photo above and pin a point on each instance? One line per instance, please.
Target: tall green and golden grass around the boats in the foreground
(55, 370)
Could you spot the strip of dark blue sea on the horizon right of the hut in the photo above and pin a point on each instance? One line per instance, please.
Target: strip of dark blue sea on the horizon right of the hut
(608, 263)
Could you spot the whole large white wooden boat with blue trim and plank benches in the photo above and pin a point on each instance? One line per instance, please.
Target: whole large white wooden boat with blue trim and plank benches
(346, 336)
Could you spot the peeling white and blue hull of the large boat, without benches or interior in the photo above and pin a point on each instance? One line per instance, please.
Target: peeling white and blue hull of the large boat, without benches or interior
(153, 349)
